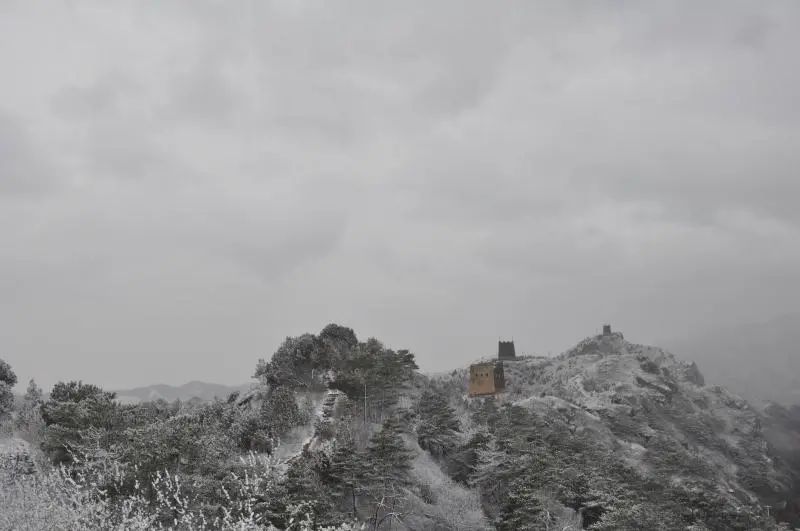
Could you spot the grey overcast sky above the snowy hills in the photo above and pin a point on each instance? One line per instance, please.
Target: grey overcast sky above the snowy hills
(184, 184)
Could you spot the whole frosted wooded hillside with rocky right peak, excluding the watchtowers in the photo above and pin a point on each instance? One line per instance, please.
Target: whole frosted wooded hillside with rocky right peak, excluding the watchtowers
(340, 433)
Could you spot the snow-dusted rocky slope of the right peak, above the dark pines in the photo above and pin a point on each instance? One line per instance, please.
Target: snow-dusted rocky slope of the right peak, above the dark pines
(653, 415)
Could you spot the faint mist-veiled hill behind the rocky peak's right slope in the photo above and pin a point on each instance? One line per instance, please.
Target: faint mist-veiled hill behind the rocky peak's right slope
(760, 361)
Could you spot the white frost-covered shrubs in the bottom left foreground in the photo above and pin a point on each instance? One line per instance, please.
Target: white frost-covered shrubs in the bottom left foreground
(67, 498)
